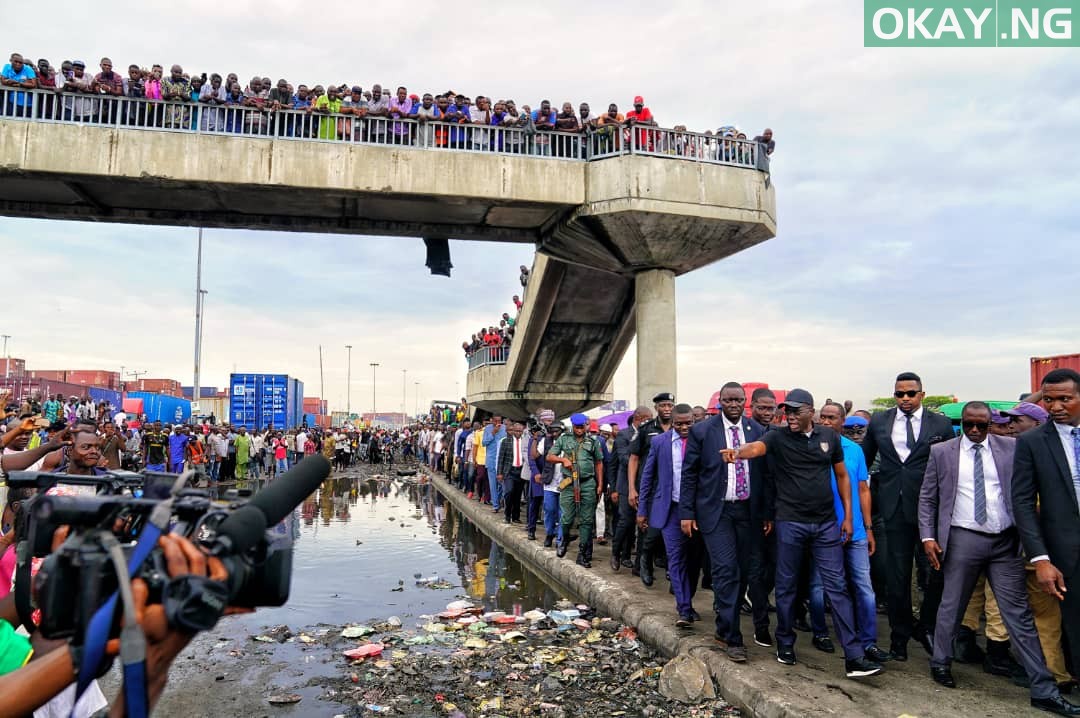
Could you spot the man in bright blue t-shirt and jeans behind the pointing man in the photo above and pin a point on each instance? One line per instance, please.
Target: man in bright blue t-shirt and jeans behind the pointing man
(857, 552)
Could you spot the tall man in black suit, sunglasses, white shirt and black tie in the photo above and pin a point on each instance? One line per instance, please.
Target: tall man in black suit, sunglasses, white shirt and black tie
(902, 439)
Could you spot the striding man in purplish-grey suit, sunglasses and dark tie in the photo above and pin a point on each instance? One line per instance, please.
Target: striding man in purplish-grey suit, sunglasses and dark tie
(966, 522)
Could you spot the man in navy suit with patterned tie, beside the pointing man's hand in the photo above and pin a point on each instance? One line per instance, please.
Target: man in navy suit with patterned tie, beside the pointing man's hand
(725, 503)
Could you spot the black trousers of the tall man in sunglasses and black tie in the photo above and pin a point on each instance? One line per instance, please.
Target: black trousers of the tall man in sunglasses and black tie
(903, 541)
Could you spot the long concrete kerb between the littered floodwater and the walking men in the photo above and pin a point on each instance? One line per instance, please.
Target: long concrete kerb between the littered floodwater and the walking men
(752, 692)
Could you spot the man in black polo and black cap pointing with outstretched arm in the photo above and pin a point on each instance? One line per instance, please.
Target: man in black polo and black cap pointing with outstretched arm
(801, 458)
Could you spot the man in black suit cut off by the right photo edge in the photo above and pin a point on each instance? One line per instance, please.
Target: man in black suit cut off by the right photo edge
(1046, 491)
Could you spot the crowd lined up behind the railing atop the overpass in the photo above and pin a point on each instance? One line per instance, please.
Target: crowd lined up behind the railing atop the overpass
(153, 98)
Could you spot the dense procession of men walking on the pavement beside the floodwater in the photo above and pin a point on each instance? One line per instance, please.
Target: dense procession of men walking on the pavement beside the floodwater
(816, 508)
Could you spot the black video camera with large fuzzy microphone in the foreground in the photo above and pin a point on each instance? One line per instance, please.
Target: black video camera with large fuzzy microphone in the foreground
(77, 579)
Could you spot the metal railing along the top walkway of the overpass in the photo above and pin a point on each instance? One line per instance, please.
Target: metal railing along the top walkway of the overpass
(246, 121)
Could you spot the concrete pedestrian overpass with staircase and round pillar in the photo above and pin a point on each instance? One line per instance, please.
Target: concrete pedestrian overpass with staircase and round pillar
(614, 216)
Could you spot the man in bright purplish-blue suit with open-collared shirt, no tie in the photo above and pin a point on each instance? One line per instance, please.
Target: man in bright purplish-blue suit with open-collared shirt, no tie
(658, 506)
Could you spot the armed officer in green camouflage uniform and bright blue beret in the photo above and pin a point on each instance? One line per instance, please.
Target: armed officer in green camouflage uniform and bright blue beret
(579, 454)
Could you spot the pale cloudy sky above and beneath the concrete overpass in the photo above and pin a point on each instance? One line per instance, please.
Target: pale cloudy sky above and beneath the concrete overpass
(927, 202)
